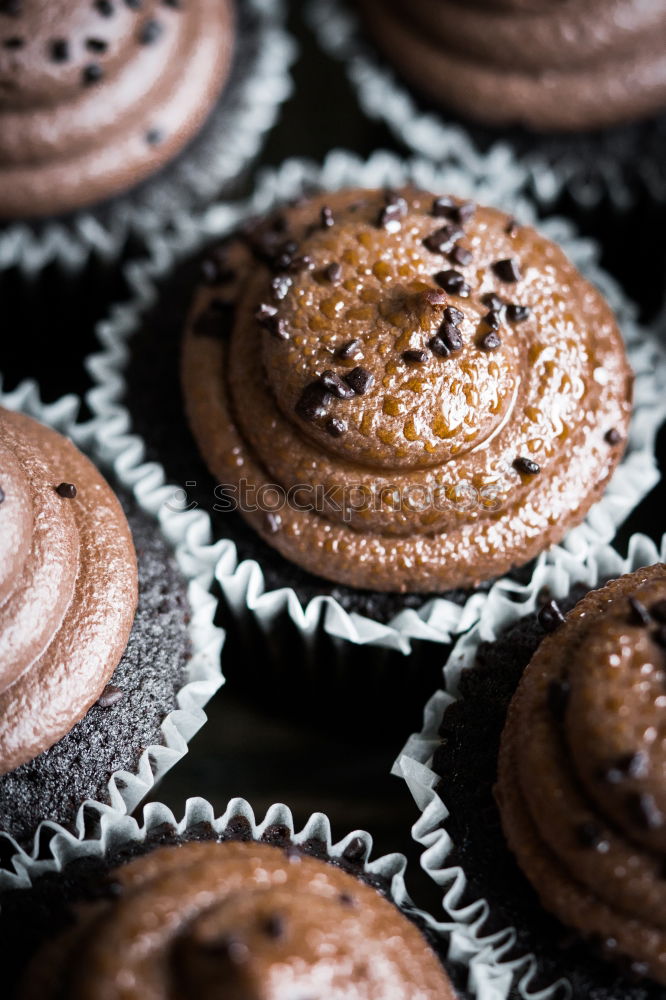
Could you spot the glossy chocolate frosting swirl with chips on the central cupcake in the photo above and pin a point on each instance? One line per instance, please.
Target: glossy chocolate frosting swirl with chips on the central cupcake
(434, 392)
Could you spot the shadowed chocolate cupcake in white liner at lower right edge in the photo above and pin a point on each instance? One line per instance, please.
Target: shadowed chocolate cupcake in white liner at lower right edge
(544, 758)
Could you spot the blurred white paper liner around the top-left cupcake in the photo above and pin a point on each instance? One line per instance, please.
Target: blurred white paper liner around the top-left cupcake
(247, 110)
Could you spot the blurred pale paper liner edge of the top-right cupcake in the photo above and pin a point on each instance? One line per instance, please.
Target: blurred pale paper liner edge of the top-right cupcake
(385, 97)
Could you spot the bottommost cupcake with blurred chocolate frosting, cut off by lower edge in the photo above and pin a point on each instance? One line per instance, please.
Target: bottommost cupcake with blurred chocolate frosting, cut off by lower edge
(221, 907)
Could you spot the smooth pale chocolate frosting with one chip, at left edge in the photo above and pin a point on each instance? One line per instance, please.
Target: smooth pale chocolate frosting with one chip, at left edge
(68, 587)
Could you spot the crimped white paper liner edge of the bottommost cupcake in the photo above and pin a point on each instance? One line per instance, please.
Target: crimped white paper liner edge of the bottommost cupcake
(116, 830)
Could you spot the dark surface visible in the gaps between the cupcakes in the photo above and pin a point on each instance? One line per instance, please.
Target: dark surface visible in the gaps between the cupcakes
(341, 769)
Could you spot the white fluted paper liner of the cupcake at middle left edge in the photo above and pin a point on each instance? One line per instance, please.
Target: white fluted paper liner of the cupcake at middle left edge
(203, 675)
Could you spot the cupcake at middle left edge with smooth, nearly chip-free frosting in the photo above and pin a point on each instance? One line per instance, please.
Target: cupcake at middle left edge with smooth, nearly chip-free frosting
(95, 638)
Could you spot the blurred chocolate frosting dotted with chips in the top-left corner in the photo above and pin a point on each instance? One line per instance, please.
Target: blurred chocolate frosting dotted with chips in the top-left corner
(95, 95)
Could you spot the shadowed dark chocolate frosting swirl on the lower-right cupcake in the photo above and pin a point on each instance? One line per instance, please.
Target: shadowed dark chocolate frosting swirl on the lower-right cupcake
(582, 773)
